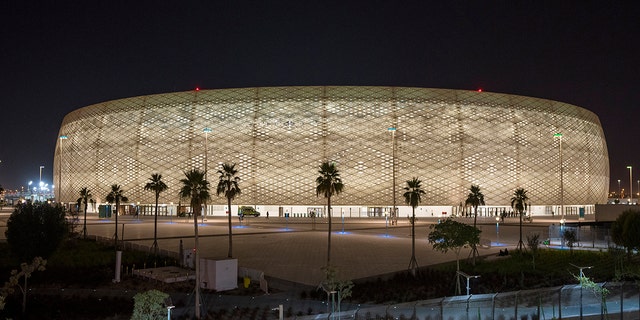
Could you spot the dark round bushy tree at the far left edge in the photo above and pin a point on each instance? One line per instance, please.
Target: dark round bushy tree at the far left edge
(36, 229)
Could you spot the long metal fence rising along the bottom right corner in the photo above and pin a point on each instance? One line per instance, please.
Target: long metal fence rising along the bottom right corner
(565, 302)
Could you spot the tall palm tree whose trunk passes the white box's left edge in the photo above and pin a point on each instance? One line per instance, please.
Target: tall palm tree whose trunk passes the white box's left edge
(196, 188)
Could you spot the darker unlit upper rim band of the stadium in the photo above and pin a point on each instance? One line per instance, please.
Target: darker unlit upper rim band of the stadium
(471, 97)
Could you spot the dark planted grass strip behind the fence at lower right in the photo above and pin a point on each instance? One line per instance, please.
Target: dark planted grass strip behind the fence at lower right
(498, 274)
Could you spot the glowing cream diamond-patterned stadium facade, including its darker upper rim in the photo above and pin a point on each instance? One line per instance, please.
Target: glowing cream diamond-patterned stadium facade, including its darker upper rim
(278, 136)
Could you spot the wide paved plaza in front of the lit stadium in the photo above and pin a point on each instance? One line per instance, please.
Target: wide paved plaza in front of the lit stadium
(295, 249)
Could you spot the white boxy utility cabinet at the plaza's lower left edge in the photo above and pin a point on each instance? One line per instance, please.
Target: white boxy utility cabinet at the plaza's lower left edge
(218, 274)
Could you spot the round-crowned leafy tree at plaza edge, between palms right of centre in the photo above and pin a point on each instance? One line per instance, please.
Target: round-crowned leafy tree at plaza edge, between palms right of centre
(453, 235)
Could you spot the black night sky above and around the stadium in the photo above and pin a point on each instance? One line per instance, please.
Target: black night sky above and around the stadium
(57, 56)
